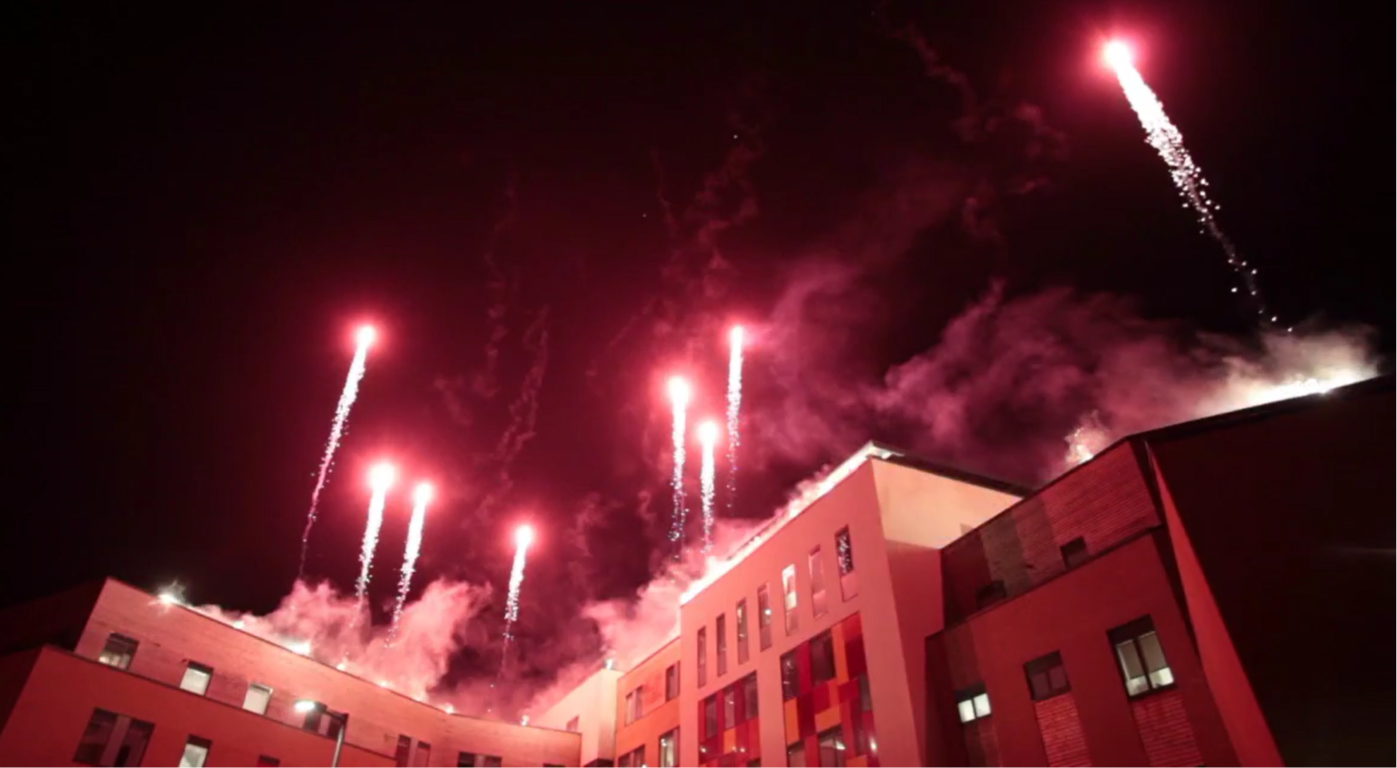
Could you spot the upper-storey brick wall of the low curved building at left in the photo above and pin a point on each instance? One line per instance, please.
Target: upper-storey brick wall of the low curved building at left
(173, 636)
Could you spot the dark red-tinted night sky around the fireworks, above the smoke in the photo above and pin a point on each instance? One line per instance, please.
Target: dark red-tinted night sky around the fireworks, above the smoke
(203, 203)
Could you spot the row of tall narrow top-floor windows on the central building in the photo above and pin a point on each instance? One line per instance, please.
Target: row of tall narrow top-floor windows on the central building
(819, 605)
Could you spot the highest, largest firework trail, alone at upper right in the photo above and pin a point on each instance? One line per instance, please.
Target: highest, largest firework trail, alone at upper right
(1167, 140)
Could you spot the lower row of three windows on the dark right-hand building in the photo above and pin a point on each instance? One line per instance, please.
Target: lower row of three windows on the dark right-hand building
(1139, 656)
